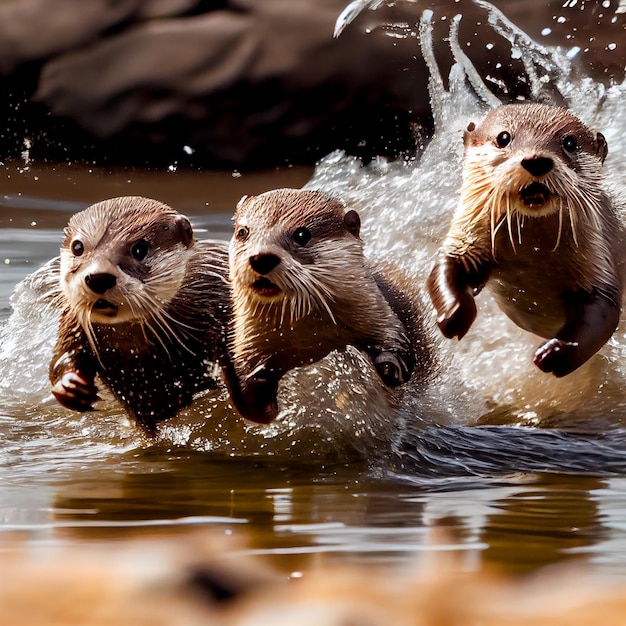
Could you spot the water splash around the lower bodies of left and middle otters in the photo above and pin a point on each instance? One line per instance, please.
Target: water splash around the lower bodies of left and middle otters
(334, 408)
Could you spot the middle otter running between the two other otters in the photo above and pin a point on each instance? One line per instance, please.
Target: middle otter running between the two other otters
(301, 288)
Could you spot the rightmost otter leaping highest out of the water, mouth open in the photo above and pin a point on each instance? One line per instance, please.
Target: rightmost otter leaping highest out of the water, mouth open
(535, 222)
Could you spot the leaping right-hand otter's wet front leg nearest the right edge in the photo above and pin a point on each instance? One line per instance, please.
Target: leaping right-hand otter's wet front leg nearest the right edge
(591, 320)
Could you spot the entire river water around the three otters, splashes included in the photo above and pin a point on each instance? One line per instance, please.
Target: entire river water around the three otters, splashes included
(520, 469)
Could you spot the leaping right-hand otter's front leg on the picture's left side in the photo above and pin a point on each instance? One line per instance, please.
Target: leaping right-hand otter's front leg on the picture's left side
(452, 289)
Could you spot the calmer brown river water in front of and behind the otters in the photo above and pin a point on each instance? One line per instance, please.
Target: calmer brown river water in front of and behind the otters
(519, 498)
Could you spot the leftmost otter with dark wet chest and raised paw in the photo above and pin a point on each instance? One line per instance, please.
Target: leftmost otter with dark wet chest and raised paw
(143, 306)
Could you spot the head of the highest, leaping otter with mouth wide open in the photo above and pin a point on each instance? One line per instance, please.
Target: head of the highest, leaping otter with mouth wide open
(533, 160)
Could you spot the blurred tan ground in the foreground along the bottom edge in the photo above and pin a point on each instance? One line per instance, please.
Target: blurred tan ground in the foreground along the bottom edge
(198, 581)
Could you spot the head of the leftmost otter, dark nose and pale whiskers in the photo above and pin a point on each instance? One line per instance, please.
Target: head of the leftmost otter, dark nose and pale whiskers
(123, 259)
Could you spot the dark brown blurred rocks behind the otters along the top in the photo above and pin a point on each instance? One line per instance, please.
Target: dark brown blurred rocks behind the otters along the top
(251, 83)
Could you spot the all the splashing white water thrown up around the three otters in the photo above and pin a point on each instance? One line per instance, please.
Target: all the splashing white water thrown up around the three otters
(405, 207)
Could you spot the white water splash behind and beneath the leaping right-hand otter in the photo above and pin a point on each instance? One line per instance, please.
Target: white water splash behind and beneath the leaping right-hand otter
(406, 210)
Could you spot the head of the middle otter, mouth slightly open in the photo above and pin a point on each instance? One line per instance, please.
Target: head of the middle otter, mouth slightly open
(293, 250)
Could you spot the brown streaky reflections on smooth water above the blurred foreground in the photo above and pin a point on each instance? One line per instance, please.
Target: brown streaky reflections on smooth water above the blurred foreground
(518, 524)
